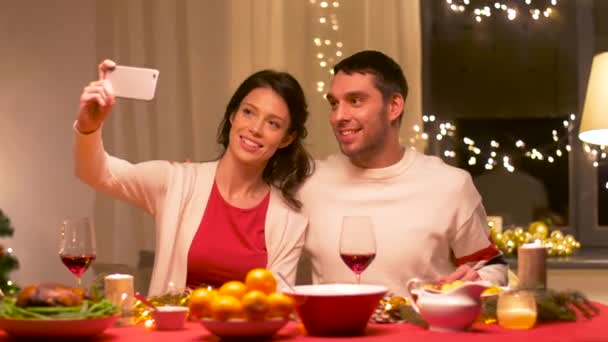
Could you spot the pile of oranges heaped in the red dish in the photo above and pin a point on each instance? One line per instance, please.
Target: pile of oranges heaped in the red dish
(255, 299)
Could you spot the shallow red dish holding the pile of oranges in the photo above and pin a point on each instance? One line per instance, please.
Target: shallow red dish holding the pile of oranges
(241, 329)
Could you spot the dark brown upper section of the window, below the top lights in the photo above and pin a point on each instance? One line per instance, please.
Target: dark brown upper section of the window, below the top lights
(501, 68)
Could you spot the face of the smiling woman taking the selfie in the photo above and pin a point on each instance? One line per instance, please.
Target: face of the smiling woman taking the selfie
(259, 127)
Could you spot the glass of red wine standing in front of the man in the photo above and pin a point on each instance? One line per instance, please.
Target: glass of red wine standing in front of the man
(357, 243)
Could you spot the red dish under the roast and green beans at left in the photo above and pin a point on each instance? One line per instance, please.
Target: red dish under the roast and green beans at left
(56, 328)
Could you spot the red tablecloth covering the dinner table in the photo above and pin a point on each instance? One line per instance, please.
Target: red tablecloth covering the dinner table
(583, 330)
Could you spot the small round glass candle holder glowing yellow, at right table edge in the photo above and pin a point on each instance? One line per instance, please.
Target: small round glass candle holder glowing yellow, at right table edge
(516, 309)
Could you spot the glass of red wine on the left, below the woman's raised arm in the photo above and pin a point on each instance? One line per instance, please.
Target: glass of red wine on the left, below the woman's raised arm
(77, 245)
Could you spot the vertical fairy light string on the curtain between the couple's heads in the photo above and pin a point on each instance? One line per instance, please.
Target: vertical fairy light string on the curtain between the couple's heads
(328, 46)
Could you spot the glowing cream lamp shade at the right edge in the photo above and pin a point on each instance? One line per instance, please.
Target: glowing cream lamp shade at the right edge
(594, 124)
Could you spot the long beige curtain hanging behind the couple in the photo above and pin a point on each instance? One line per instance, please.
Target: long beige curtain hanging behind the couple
(203, 50)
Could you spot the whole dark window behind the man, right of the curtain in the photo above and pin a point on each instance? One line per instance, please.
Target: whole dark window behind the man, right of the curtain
(499, 79)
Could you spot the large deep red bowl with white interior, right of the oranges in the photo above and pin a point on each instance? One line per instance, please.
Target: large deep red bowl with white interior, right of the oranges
(336, 309)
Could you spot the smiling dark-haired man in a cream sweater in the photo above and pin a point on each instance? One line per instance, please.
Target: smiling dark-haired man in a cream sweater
(428, 218)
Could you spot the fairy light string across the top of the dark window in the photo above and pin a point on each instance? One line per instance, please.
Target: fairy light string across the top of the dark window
(510, 9)
